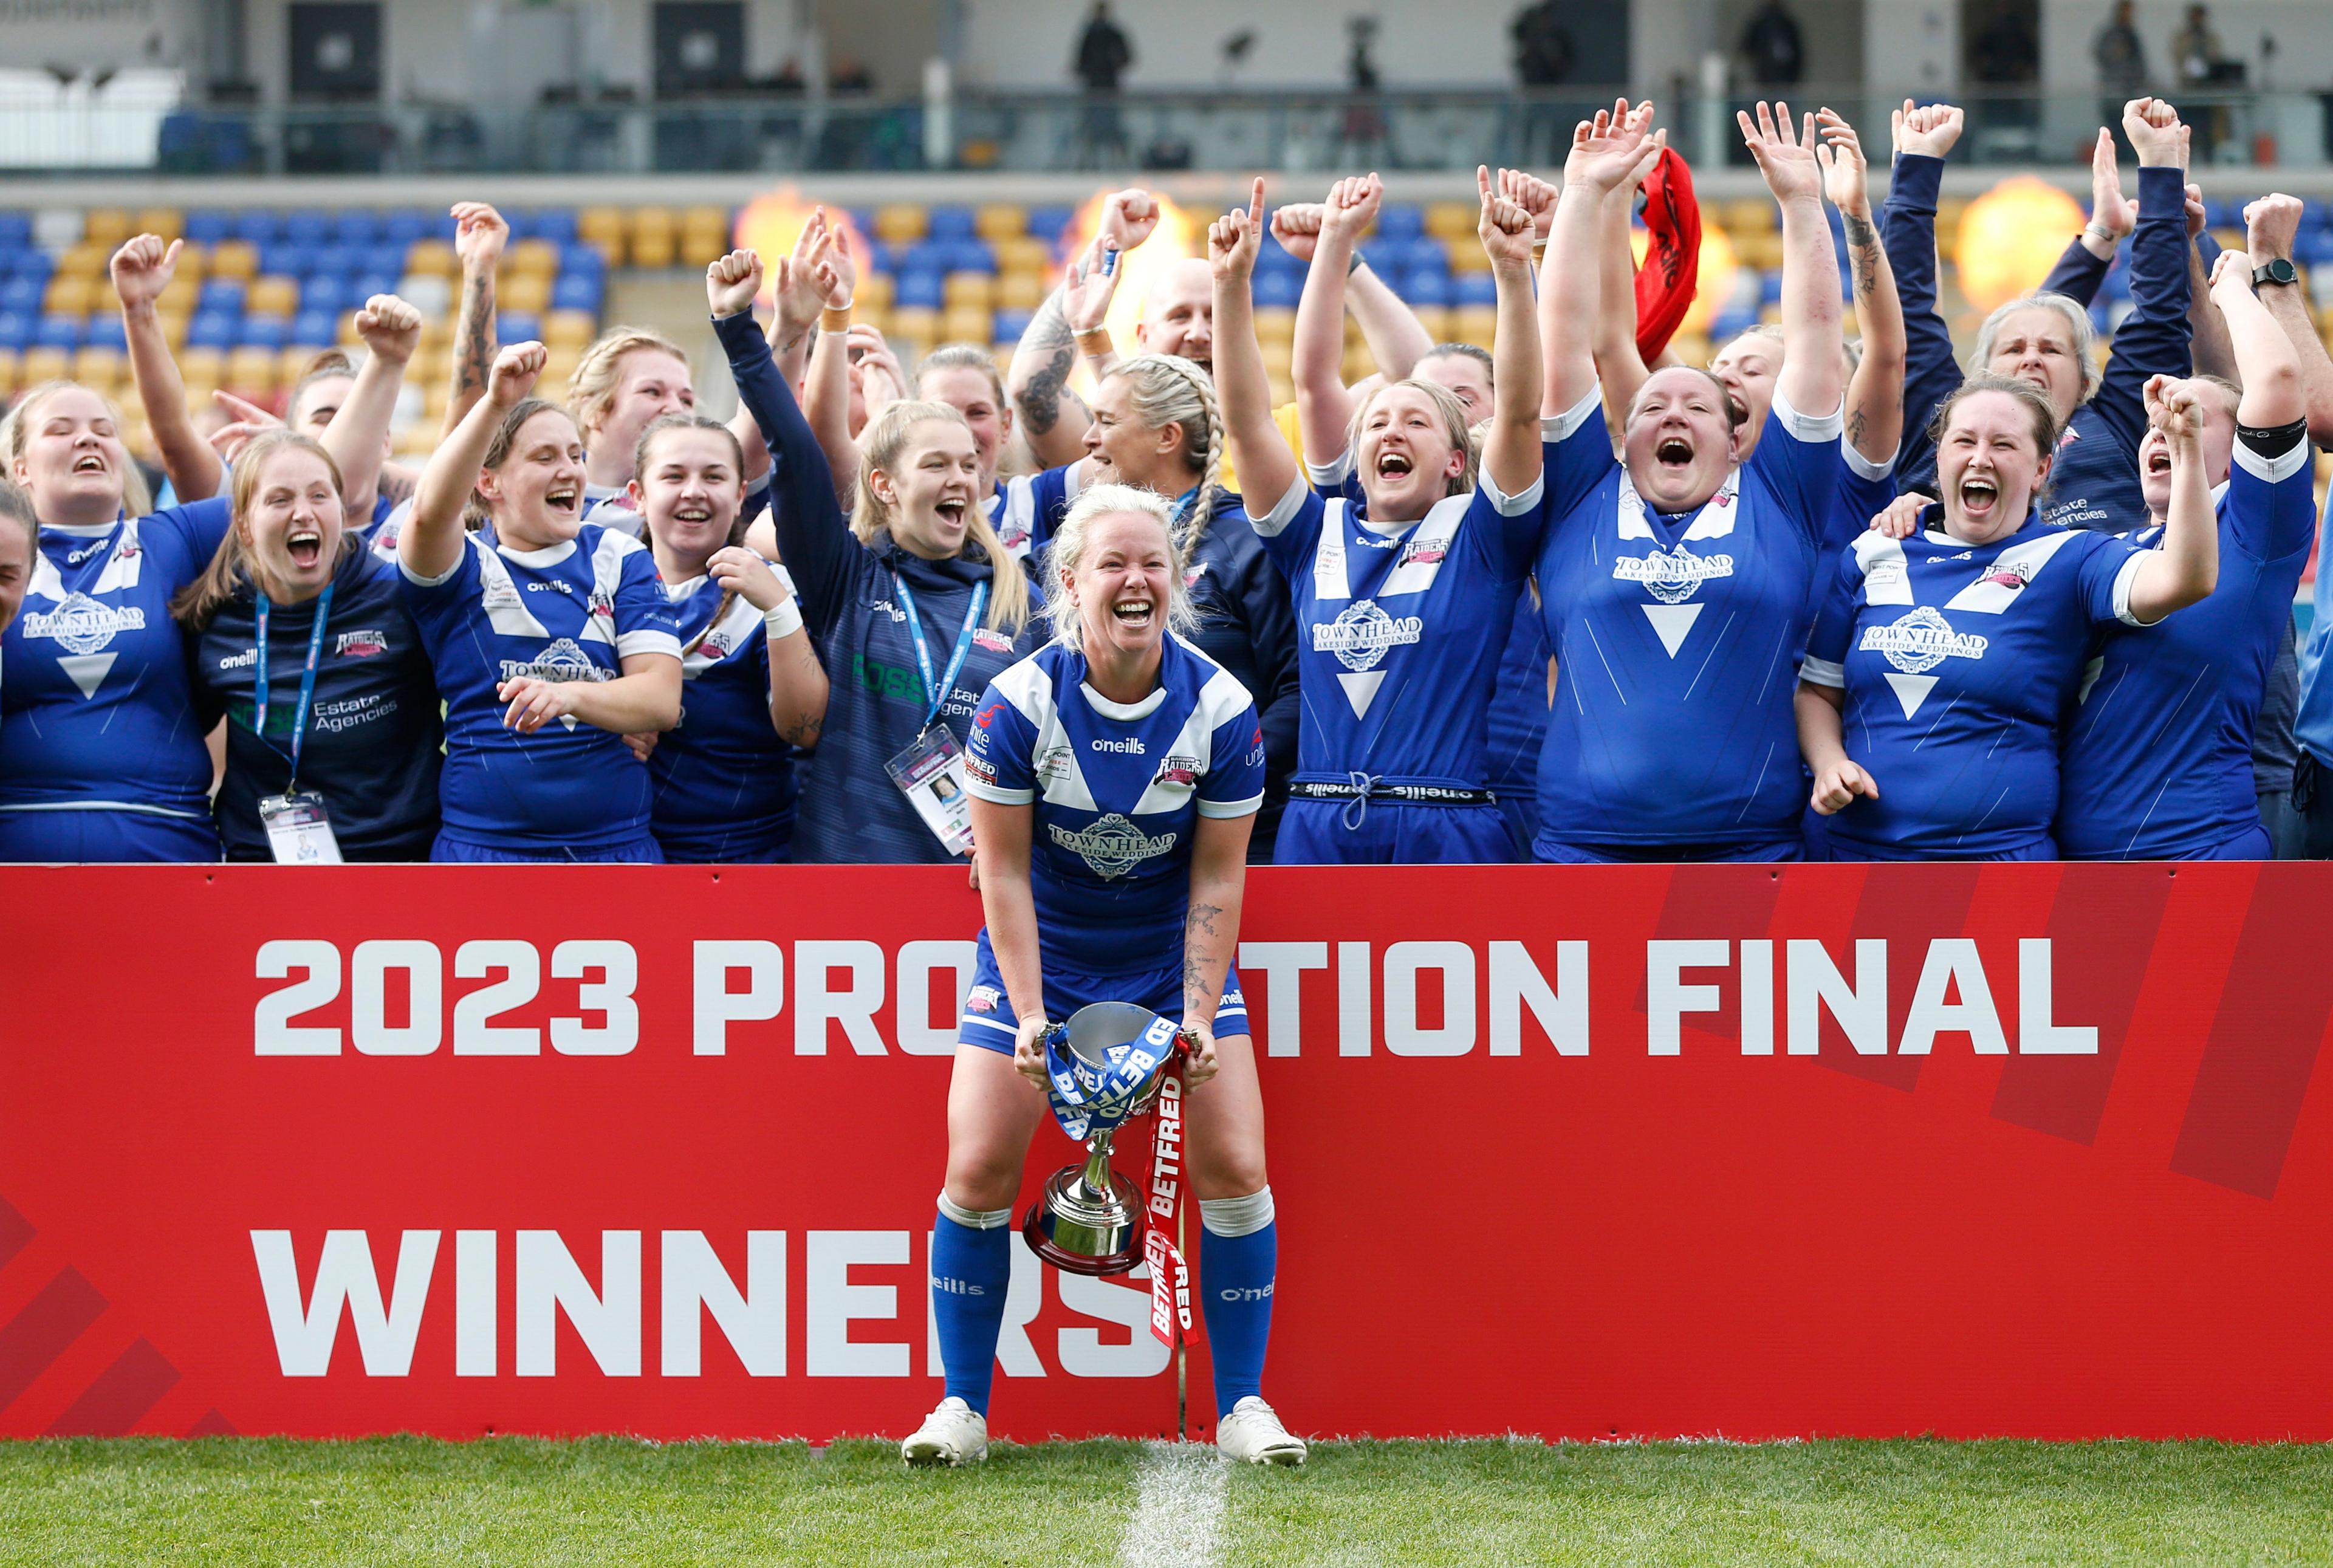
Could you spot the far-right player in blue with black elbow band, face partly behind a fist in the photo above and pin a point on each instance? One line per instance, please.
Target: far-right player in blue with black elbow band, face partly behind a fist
(2159, 759)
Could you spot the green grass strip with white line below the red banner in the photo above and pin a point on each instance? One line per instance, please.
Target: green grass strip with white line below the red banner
(612, 1501)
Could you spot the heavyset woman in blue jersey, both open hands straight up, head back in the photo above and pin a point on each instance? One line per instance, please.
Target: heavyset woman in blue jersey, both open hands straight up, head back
(1679, 580)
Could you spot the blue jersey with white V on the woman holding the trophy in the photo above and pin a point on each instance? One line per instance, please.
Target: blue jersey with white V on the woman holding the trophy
(1119, 792)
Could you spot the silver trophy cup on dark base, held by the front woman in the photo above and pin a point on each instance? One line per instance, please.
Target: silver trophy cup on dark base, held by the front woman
(1091, 1219)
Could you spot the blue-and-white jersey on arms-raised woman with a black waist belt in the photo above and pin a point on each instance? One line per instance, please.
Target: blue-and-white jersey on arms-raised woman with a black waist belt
(1401, 631)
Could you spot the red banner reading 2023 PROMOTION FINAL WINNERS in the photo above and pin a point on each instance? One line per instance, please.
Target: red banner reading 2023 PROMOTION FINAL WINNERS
(1571, 1151)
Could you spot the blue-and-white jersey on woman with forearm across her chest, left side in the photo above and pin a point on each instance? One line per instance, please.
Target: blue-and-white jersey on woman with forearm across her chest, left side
(570, 612)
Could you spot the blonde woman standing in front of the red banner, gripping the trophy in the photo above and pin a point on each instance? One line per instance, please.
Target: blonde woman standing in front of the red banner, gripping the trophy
(1114, 776)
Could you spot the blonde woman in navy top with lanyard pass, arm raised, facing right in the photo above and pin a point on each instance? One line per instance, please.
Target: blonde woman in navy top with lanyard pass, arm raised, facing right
(913, 603)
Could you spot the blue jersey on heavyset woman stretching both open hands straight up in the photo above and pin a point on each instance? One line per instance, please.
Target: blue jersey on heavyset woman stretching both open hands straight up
(1674, 731)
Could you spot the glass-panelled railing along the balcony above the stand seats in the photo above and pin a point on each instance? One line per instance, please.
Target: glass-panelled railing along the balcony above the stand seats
(1296, 132)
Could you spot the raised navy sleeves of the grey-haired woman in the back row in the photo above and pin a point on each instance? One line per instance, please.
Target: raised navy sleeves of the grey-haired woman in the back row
(2096, 479)
